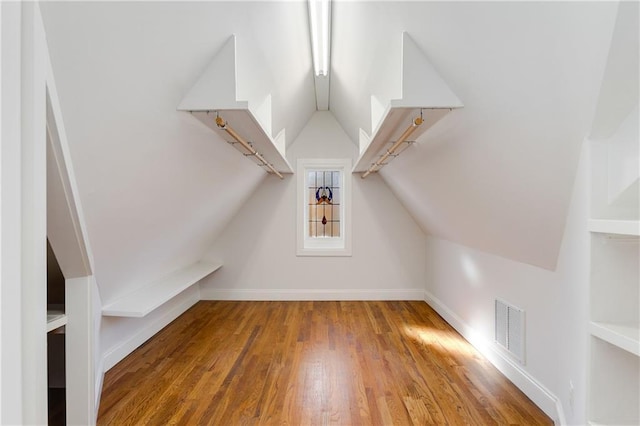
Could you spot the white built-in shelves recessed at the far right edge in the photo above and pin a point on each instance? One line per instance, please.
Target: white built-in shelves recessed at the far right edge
(614, 324)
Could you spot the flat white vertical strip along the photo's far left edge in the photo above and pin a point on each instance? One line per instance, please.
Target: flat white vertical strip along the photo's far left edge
(10, 215)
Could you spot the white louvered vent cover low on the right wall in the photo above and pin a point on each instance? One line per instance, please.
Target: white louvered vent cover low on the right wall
(510, 329)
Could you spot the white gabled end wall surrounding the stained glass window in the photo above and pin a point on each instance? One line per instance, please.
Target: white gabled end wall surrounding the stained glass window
(258, 247)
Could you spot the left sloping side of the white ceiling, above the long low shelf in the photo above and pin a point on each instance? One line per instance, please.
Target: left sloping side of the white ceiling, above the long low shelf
(157, 186)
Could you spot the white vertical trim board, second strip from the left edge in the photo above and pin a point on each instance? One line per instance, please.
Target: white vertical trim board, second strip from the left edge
(34, 225)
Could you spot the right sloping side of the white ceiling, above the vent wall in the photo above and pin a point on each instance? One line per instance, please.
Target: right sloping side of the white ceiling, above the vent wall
(496, 175)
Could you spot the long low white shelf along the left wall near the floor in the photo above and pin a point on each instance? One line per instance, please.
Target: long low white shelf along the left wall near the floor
(143, 301)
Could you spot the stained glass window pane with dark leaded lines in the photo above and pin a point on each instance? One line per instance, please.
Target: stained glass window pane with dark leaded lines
(323, 194)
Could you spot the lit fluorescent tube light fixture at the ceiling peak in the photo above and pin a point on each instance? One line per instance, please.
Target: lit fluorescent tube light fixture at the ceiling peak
(320, 19)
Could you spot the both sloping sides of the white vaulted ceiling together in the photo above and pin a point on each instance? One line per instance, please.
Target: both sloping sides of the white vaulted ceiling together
(157, 186)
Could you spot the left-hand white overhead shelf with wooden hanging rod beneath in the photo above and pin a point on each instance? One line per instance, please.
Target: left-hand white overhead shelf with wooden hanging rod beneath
(215, 94)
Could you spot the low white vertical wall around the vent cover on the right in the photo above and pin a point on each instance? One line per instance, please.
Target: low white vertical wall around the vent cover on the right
(466, 282)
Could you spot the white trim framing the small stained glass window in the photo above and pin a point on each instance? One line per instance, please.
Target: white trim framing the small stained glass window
(307, 246)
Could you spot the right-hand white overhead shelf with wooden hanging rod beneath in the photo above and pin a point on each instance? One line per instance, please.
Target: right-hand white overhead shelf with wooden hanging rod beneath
(424, 93)
